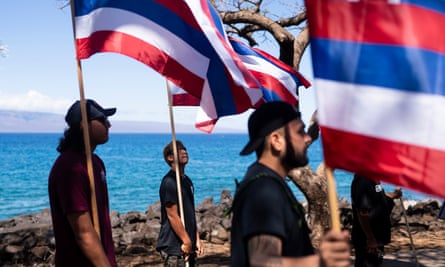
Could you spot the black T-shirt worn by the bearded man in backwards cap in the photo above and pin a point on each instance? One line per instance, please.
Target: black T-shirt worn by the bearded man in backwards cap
(264, 204)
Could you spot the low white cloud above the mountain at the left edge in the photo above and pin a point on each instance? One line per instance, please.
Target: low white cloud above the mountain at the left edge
(33, 101)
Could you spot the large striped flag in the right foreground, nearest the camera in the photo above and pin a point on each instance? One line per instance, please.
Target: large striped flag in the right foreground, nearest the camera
(379, 70)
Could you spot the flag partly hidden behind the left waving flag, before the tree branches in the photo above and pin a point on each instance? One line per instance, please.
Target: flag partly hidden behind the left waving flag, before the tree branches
(279, 81)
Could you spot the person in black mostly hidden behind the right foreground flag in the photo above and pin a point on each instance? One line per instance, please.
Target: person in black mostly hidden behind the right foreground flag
(371, 226)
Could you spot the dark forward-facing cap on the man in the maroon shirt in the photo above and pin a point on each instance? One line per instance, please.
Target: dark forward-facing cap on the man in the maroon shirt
(94, 112)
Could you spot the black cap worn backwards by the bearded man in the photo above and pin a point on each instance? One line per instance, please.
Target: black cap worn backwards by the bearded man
(267, 118)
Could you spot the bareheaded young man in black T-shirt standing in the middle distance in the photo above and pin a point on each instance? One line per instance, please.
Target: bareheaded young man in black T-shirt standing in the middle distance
(177, 243)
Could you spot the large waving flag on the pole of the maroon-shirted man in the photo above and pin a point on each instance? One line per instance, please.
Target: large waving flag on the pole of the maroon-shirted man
(182, 40)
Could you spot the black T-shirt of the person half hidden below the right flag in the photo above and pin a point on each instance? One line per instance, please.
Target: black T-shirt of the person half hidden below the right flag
(369, 195)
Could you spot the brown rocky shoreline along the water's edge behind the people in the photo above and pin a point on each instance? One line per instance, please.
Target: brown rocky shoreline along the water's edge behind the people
(28, 240)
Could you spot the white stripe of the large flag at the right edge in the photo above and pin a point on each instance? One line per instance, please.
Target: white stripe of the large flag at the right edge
(410, 118)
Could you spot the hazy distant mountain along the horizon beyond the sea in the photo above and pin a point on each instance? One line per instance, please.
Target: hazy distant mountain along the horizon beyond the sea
(40, 122)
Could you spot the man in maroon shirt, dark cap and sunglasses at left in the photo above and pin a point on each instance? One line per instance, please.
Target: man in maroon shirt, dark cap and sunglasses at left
(77, 243)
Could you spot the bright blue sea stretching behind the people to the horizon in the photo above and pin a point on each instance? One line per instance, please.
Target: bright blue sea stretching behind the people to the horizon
(135, 167)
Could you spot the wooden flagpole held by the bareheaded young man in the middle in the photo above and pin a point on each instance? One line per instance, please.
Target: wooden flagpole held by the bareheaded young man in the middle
(175, 156)
